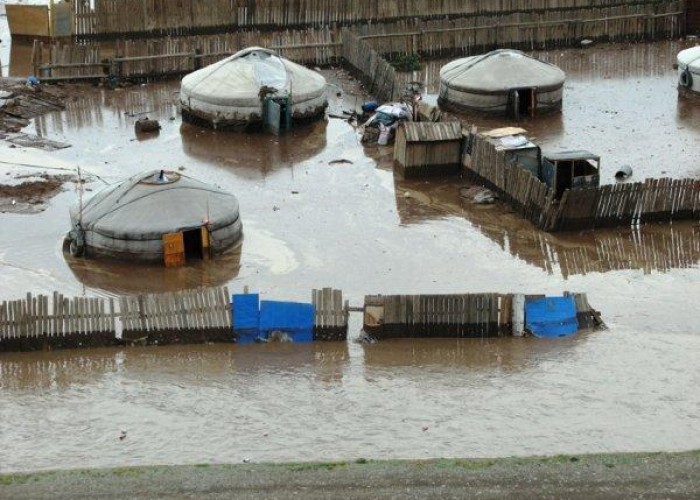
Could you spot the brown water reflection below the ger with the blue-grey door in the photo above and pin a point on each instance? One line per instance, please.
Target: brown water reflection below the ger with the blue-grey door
(254, 155)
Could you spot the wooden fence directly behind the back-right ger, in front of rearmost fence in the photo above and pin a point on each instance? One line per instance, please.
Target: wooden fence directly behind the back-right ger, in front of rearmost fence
(526, 29)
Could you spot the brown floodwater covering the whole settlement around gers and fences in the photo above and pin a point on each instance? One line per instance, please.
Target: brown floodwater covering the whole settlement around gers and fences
(310, 222)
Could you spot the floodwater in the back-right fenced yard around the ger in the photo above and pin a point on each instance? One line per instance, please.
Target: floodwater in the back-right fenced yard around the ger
(621, 102)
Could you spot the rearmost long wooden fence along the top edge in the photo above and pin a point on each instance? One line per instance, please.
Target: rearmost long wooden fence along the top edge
(110, 19)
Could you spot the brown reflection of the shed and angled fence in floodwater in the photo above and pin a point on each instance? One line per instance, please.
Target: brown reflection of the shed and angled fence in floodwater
(651, 247)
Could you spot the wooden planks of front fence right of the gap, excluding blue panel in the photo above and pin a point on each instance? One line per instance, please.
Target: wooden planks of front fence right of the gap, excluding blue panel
(462, 316)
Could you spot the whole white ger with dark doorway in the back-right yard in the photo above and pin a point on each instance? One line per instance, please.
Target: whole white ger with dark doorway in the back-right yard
(503, 81)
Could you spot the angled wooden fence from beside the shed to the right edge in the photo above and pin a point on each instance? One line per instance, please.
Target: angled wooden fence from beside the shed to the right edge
(654, 200)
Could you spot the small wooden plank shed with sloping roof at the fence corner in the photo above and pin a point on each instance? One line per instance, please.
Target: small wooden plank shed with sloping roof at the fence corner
(426, 149)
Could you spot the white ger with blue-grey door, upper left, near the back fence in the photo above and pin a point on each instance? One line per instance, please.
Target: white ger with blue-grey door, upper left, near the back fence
(253, 87)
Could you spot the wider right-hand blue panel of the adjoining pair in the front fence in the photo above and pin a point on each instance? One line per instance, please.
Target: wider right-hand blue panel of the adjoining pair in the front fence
(293, 318)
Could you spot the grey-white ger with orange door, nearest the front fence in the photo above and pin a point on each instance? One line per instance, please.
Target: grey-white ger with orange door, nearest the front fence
(156, 216)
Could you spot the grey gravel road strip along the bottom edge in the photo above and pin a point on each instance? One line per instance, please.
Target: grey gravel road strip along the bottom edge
(590, 477)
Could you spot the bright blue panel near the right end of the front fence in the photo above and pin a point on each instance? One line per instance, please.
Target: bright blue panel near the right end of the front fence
(551, 317)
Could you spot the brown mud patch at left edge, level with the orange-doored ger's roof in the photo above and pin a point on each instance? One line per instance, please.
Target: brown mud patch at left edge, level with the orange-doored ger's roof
(31, 195)
